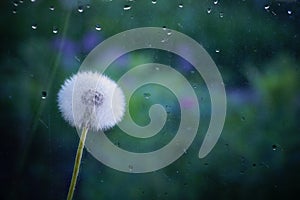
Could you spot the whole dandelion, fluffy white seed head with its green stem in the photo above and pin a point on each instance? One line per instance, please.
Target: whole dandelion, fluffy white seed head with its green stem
(89, 101)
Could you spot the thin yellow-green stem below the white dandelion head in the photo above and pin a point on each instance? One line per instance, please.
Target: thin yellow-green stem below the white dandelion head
(77, 163)
